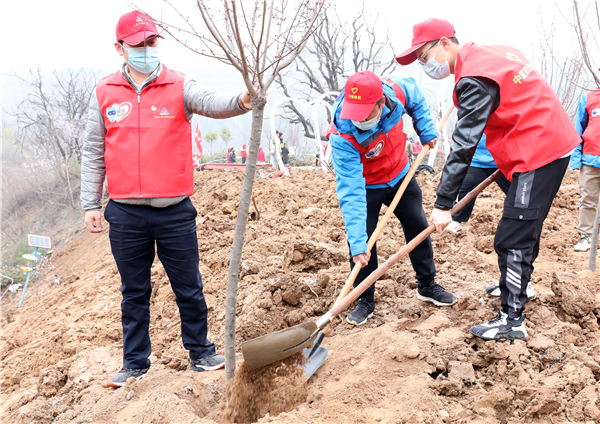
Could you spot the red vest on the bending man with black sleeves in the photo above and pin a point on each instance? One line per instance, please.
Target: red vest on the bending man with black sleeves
(530, 127)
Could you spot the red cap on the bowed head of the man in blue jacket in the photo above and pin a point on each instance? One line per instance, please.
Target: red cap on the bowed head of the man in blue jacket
(363, 90)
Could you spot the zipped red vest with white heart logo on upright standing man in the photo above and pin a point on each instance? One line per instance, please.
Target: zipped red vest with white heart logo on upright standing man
(148, 147)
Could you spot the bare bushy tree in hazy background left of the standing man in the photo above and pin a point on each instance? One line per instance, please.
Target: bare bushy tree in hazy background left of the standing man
(51, 120)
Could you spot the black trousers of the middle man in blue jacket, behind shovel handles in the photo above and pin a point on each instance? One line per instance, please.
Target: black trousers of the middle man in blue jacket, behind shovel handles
(412, 218)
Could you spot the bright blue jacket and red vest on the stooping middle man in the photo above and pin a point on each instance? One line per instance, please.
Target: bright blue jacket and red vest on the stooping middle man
(350, 156)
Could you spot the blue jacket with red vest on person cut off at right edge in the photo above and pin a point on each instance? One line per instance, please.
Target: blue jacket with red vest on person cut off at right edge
(587, 125)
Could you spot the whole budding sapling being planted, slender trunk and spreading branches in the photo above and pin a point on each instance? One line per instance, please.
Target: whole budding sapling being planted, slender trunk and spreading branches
(259, 42)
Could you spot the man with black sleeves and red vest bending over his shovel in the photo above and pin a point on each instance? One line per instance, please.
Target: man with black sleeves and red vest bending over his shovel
(529, 136)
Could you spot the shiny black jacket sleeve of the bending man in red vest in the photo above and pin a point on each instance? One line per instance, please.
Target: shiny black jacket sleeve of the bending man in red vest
(477, 99)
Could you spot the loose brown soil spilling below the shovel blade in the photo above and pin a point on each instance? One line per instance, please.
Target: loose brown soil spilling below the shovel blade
(272, 389)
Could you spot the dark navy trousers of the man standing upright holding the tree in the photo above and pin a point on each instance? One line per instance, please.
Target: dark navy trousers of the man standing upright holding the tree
(134, 231)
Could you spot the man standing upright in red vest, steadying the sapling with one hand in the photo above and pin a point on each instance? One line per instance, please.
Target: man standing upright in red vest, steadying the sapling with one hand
(140, 139)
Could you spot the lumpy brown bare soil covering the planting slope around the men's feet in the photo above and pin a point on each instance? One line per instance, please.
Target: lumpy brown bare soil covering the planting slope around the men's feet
(412, 363)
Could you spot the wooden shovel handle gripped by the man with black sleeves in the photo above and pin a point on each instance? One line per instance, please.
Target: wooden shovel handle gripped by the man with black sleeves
(342, 305)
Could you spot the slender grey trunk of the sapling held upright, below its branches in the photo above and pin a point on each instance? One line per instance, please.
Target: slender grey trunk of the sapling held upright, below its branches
(258, 105)
